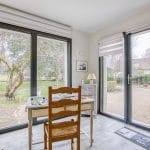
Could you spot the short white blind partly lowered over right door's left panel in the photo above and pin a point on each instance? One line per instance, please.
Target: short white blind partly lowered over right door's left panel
(111, 45)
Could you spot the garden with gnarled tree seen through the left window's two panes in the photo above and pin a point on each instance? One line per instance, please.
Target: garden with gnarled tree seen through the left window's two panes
(15, 72)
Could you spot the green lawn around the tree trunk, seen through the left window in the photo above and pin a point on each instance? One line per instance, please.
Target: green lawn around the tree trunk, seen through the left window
(23, 92)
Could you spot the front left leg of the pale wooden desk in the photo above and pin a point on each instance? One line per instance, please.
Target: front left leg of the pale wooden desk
(30, 128)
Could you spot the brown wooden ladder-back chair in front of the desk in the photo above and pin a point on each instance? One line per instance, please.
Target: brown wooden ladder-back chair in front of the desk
(65, 107)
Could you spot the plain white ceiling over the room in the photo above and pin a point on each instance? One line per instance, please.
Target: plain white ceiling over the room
(84, 15)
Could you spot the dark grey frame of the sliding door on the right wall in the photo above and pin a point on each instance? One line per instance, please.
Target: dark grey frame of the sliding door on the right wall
(128, 87)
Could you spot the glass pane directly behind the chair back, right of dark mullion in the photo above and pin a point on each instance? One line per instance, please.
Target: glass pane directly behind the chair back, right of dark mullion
(51, 64)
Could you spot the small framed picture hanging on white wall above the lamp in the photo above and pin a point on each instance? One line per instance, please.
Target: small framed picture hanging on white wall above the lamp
(82, 65)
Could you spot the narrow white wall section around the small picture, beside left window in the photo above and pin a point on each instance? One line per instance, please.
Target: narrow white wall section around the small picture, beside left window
(80, 51)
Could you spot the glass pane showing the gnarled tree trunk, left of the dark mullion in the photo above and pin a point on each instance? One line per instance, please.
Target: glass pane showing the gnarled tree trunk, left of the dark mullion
(14, 77)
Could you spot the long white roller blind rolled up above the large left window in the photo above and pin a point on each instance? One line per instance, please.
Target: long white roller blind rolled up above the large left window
(23, 19)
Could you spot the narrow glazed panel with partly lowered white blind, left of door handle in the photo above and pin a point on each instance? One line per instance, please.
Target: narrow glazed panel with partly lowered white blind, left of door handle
(111, 52)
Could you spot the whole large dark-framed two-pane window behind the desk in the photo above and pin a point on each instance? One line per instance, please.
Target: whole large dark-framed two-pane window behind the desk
(30, 61)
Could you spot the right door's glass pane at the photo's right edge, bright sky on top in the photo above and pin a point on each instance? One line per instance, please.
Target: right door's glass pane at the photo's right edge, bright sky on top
(141, 77)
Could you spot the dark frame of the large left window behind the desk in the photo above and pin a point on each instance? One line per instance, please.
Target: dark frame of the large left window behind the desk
(33, 81)
